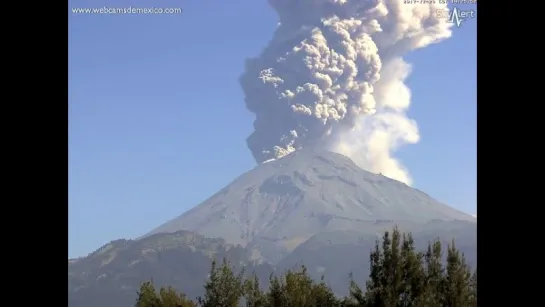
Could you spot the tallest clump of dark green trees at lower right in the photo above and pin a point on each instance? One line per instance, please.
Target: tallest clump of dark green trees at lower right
(402, 277)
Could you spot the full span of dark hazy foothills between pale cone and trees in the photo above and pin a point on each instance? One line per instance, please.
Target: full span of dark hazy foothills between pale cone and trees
(111, 275)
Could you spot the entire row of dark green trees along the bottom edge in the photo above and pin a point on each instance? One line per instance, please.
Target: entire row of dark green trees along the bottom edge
(399, 276)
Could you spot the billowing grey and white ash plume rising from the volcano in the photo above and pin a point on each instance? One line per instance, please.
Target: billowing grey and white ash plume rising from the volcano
(333, 76)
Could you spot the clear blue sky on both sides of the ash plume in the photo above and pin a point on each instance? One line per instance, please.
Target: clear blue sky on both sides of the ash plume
(157, 121)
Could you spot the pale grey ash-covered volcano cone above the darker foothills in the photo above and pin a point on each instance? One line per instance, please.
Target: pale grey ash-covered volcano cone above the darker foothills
(282, 203)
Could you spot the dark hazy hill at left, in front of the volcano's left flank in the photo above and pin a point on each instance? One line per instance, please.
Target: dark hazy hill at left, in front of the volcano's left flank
(110, 276)
